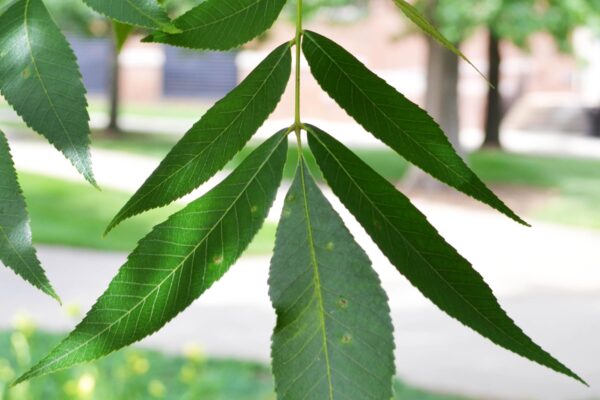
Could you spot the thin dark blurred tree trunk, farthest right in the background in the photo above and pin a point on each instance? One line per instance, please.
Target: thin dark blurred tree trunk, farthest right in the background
(494, 110)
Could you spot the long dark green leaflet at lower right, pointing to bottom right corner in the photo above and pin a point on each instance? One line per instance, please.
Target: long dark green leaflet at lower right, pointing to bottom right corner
(405, 236)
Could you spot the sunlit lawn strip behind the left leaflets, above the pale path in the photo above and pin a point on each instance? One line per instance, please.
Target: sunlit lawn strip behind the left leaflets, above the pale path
(75, 214)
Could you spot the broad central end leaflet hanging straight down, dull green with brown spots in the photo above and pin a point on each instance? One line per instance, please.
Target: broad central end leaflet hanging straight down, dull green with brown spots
(333, 338)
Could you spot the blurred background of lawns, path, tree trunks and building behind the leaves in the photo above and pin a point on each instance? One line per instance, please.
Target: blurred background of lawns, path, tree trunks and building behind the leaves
(535, 140)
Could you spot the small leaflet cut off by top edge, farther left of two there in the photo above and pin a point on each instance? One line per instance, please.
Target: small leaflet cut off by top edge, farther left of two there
(144, 13)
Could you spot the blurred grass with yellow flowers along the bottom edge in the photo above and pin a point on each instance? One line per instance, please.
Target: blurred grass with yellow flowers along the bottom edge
(134, 374)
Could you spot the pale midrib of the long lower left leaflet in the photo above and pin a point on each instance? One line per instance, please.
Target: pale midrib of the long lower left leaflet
(175, 269)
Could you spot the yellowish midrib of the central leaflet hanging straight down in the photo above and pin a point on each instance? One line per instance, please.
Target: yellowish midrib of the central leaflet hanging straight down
(316, 281)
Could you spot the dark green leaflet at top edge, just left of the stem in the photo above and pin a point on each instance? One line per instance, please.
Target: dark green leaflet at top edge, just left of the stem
(222, 24)
